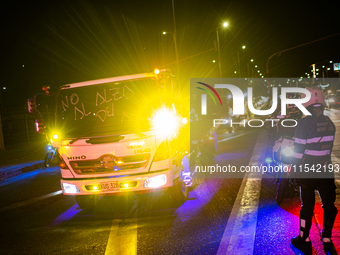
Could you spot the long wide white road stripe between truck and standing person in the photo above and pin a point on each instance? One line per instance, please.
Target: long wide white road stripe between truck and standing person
(239, 234)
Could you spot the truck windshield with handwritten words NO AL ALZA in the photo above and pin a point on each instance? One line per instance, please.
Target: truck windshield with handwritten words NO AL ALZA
(107, 109)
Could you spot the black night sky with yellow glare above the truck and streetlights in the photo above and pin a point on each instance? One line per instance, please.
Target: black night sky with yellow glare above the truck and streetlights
(58, 42)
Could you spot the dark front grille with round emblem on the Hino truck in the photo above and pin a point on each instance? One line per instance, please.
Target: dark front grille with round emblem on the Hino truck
(110, 163)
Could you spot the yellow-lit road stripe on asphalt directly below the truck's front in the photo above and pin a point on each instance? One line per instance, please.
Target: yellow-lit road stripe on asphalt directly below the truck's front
(123, 234)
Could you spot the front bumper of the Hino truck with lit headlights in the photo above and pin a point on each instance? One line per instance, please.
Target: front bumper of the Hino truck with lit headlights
(143, 183)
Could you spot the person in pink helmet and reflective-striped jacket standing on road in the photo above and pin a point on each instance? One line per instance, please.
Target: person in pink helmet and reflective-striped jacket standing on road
(313, 143)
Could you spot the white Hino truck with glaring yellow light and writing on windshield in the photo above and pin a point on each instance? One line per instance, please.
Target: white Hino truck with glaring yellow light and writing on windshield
(121, 135)
